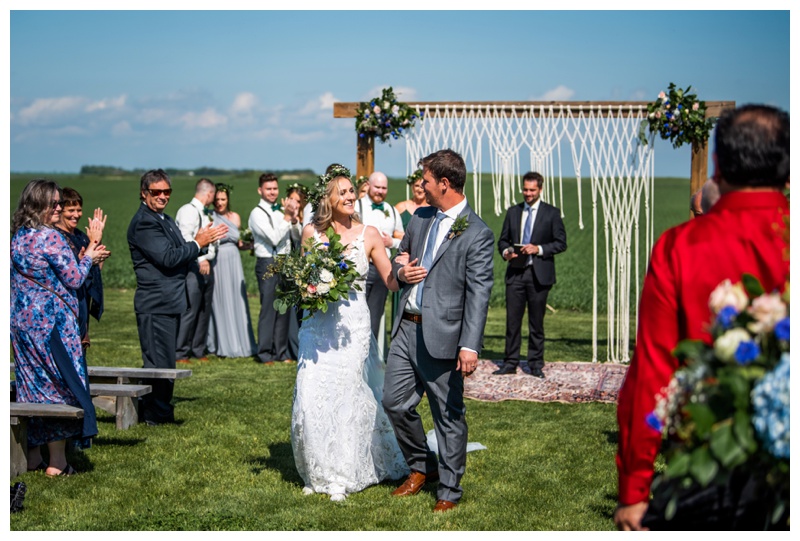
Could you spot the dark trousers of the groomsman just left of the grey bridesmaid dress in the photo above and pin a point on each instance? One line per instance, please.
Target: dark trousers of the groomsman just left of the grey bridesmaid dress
(193, 328)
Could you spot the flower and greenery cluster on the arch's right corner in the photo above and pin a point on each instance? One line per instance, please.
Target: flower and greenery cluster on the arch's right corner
(678, 116)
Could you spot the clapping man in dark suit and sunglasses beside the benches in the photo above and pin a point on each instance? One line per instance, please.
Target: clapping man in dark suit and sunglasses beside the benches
(161, 260)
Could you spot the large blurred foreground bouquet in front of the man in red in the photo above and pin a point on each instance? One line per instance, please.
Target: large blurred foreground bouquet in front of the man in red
(727, 408)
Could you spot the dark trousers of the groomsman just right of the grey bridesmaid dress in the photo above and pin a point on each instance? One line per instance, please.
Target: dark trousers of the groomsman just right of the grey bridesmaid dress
(273, 328)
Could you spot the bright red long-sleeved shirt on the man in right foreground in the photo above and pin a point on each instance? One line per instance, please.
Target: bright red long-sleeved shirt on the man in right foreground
(745, 232)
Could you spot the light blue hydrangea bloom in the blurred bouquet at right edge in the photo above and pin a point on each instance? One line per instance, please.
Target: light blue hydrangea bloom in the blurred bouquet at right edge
(770, 399)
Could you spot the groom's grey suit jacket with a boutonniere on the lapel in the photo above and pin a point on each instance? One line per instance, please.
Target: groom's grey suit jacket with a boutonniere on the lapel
(458, 285)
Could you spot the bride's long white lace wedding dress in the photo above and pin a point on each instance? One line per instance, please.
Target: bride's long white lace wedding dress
(342, 439)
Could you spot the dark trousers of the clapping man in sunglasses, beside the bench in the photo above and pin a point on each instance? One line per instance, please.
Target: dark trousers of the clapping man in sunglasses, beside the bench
(157, 334)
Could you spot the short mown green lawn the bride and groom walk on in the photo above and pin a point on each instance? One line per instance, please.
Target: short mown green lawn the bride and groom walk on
(228, 465)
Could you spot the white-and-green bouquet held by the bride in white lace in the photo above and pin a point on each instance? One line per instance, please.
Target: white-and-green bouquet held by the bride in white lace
(314, 277)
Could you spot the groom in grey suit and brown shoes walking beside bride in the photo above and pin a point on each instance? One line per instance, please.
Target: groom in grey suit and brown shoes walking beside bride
(435, 344)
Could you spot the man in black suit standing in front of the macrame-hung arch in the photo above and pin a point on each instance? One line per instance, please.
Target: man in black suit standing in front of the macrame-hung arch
(532, 234)
